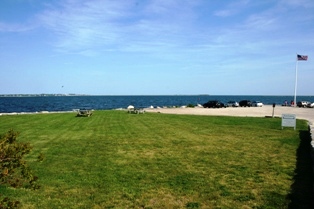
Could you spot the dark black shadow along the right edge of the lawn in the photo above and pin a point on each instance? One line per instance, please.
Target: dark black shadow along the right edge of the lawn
(302, 195)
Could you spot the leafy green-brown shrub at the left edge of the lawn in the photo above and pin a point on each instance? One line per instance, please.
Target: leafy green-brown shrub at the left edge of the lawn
(14, 170)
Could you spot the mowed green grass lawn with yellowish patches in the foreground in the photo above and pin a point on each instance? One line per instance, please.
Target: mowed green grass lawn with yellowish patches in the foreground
(119, 160)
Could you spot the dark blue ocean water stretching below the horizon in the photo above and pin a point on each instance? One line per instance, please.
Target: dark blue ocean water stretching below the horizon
(68, 103)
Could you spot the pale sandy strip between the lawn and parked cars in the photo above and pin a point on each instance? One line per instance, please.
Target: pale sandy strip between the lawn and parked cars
(265, 111)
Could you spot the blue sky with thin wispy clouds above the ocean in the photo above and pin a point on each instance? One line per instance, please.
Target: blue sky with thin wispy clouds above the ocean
(156, 47)
